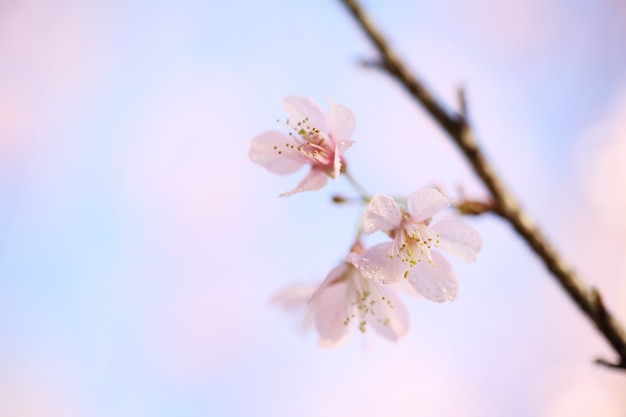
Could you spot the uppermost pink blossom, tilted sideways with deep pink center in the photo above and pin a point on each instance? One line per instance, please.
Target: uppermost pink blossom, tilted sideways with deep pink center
(317, 139)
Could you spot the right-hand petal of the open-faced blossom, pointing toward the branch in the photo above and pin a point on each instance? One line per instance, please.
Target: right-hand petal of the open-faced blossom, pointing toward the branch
(458, 238)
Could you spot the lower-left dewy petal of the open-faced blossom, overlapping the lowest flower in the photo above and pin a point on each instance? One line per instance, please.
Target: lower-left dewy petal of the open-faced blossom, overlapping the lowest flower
(376, 264)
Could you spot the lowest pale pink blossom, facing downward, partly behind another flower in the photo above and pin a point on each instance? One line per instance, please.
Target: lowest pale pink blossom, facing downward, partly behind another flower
(345, 297)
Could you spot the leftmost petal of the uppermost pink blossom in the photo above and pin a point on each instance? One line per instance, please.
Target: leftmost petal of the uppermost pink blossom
(264, 150)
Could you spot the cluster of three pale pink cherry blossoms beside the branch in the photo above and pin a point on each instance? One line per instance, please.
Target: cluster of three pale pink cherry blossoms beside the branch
(363, 289)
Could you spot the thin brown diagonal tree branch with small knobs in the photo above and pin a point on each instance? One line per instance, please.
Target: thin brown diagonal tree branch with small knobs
(458, 128)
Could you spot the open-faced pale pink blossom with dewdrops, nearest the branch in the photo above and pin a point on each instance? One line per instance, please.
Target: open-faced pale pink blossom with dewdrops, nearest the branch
(413, 255)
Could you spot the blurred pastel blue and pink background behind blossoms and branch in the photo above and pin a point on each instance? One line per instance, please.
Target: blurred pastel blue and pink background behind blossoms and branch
(139, 247)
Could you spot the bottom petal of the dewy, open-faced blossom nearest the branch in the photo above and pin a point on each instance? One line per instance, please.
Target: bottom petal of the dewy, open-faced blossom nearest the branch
(437, 283)
